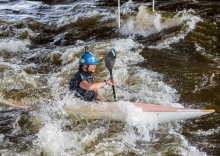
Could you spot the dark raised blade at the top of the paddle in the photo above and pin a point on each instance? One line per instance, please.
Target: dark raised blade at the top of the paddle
(110, 59)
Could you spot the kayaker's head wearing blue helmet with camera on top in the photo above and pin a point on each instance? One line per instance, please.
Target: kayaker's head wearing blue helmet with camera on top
(87, 61)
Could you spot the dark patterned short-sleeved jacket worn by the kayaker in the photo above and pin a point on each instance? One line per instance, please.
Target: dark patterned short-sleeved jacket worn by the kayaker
(80, 92)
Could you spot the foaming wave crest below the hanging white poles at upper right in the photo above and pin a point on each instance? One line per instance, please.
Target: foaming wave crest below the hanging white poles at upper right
(147, 22)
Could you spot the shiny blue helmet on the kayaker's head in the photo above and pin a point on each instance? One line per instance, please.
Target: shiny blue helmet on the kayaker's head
(87, 58)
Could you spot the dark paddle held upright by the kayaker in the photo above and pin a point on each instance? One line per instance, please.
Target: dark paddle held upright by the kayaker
(109, 63)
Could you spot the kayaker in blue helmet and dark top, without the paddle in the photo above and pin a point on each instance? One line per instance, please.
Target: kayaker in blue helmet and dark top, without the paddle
(83, 83)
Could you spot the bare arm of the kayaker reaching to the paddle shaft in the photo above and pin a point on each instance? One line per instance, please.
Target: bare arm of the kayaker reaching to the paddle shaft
(94, 86)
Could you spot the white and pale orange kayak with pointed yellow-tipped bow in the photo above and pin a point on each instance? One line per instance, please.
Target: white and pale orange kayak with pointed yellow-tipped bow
(123, 111)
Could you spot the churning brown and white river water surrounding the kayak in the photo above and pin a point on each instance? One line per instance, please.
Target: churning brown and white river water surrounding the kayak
(167, 57)
